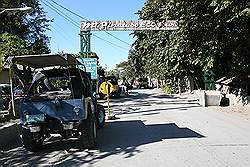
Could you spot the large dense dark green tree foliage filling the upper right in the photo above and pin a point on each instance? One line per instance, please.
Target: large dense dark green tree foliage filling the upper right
(212, 34)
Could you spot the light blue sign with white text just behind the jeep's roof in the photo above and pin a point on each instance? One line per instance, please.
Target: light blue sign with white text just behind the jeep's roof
(90, 65)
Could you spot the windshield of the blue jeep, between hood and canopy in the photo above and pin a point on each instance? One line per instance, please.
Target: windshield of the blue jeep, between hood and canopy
(63, 83)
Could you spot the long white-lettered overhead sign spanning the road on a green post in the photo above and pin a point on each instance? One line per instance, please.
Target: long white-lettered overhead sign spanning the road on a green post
(128, 25)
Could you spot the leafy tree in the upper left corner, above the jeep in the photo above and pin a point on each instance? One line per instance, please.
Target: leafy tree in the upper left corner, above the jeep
(23, 33)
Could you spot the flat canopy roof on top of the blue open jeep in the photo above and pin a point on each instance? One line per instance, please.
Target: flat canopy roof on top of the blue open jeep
(44, 60)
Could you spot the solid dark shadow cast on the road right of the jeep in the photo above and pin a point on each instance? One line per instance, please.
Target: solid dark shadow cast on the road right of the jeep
(126, 134)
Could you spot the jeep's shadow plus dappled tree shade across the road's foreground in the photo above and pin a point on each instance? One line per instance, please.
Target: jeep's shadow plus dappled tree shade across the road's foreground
(118, 137)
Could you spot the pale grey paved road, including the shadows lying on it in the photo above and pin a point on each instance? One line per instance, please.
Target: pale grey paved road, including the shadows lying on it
(152, 130)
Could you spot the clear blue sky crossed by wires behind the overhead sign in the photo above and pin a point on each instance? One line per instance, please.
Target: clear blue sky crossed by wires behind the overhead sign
(65, 36)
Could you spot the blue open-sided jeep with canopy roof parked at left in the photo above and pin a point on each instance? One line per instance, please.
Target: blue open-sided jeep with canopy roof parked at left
(57, 100)
